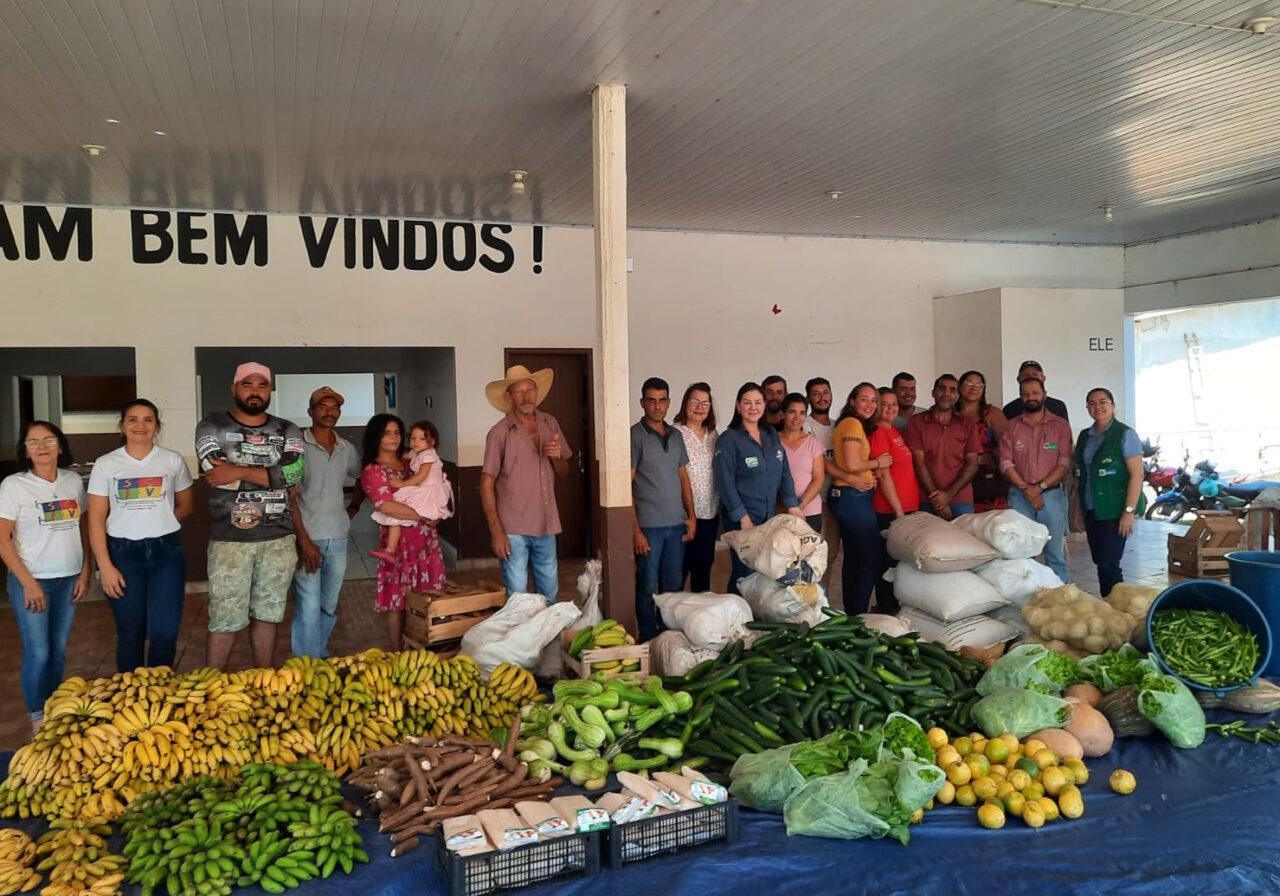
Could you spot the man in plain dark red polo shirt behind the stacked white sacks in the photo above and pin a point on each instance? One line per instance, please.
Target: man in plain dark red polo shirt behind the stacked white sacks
(945, 447)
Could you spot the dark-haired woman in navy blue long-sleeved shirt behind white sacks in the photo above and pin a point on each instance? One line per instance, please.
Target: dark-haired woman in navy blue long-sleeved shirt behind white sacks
(752, 473)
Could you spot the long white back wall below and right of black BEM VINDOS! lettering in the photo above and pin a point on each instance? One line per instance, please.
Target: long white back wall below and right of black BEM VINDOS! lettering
(701, 308)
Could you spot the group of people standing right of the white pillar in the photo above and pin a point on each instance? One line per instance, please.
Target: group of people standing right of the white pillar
(879, 459)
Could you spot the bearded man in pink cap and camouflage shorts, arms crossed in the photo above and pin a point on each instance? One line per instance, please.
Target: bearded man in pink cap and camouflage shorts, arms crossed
(252, 461)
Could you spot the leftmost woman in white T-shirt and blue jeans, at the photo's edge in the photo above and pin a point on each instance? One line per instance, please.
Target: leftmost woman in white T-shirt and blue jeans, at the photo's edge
(44, 547)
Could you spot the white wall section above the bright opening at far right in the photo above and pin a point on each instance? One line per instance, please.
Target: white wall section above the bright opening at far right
(1231, 266)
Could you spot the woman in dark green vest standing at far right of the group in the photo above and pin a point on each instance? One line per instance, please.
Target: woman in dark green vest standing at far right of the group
(1109, 463)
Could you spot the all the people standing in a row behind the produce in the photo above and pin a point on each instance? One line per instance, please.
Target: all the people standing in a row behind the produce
(280, 515)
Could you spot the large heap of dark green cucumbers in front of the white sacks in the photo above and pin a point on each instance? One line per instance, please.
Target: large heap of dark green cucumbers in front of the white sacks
(799, 683)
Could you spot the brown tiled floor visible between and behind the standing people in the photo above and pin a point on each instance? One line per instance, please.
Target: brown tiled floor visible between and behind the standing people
(92, 651)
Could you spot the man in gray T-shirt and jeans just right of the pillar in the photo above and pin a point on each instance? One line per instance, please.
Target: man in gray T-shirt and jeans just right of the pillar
(662, 501)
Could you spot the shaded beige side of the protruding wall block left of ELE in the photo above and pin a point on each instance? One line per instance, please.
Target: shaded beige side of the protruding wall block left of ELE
(967, 336)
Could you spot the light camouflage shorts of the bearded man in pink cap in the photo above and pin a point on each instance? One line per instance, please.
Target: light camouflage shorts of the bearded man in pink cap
(249, 579)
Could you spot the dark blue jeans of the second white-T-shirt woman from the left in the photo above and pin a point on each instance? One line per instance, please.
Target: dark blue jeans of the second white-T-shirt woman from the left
(150, 614)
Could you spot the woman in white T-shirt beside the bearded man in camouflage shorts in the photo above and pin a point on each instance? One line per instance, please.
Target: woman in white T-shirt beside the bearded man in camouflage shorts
(138, 499)
